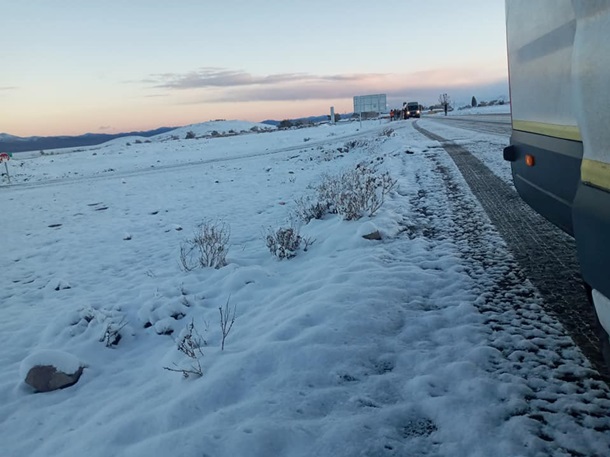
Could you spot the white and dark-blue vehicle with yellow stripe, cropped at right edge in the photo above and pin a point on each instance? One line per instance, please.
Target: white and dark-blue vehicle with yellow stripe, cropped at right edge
(559, 73)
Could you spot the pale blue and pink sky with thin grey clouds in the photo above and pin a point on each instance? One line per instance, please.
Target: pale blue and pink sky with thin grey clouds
(69, 67)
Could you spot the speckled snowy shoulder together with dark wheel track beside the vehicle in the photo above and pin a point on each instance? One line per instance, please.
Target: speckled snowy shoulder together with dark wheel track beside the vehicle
(529, 295)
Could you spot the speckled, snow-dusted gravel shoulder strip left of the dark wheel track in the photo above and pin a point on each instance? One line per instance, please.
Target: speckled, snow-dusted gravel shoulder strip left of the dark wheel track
(564, 398)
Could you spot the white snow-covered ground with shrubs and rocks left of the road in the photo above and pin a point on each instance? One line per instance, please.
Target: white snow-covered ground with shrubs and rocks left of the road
(354, 347)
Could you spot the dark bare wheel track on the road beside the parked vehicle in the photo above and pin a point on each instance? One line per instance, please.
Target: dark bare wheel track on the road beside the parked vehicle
(545, 254)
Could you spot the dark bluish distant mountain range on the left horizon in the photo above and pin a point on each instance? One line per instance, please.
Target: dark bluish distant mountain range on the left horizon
(11, 143)
